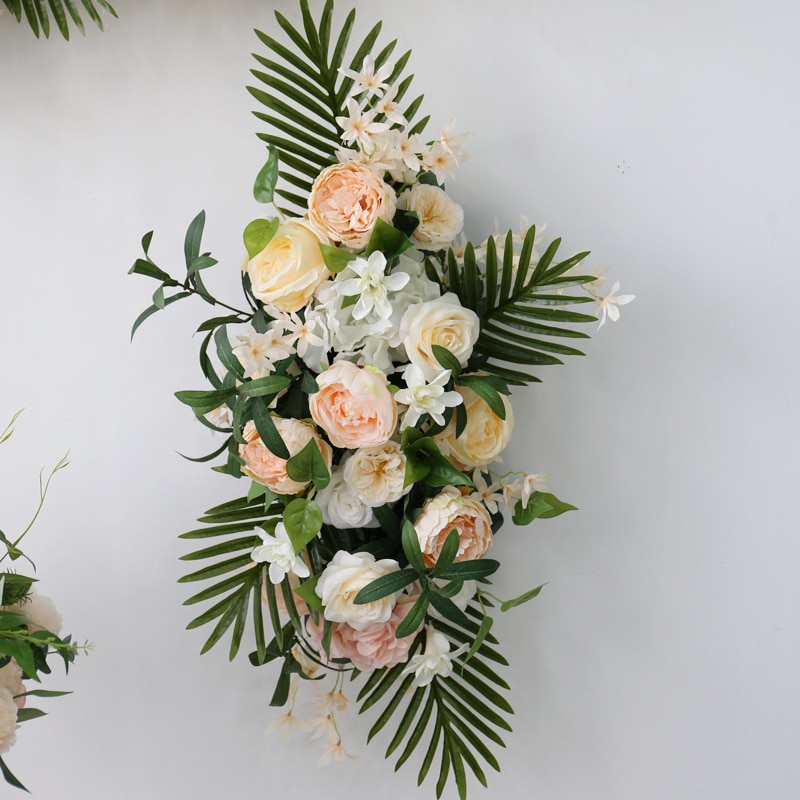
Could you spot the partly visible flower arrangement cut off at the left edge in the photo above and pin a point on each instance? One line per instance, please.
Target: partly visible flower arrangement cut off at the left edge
(30, 628)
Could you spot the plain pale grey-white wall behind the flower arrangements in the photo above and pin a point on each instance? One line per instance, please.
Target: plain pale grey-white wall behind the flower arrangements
(661, 660)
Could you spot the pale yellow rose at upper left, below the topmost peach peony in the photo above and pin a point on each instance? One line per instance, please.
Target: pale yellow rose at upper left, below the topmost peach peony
(287, 271)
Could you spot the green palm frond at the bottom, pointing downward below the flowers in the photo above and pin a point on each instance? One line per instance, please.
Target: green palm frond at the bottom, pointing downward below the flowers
(455, 719)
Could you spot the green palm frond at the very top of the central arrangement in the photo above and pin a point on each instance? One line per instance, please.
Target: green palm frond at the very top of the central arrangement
(304, 92)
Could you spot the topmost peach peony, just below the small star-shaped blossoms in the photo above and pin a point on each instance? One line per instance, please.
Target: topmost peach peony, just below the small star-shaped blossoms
(346, 201)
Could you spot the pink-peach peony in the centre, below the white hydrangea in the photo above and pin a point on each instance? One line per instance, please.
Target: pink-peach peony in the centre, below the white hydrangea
(354, 406)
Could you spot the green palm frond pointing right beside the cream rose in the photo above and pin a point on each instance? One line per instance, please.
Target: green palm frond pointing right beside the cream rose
(521, 307)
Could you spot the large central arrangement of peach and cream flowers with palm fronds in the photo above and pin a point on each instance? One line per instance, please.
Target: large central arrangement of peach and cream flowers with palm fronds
(363, 392)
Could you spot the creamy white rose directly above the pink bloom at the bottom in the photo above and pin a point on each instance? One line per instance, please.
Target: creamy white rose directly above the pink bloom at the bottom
(343, 578)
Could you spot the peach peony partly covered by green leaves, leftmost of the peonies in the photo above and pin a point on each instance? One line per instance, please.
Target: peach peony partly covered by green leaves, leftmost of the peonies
(263, 466)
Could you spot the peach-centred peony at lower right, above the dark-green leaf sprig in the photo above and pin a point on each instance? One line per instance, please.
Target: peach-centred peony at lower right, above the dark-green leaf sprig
(448, 511)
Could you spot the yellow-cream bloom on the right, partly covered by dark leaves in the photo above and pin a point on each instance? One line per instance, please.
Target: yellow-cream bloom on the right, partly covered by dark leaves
(485, 435)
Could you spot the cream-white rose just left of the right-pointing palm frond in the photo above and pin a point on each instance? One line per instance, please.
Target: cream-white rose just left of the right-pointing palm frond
(444, 322)
